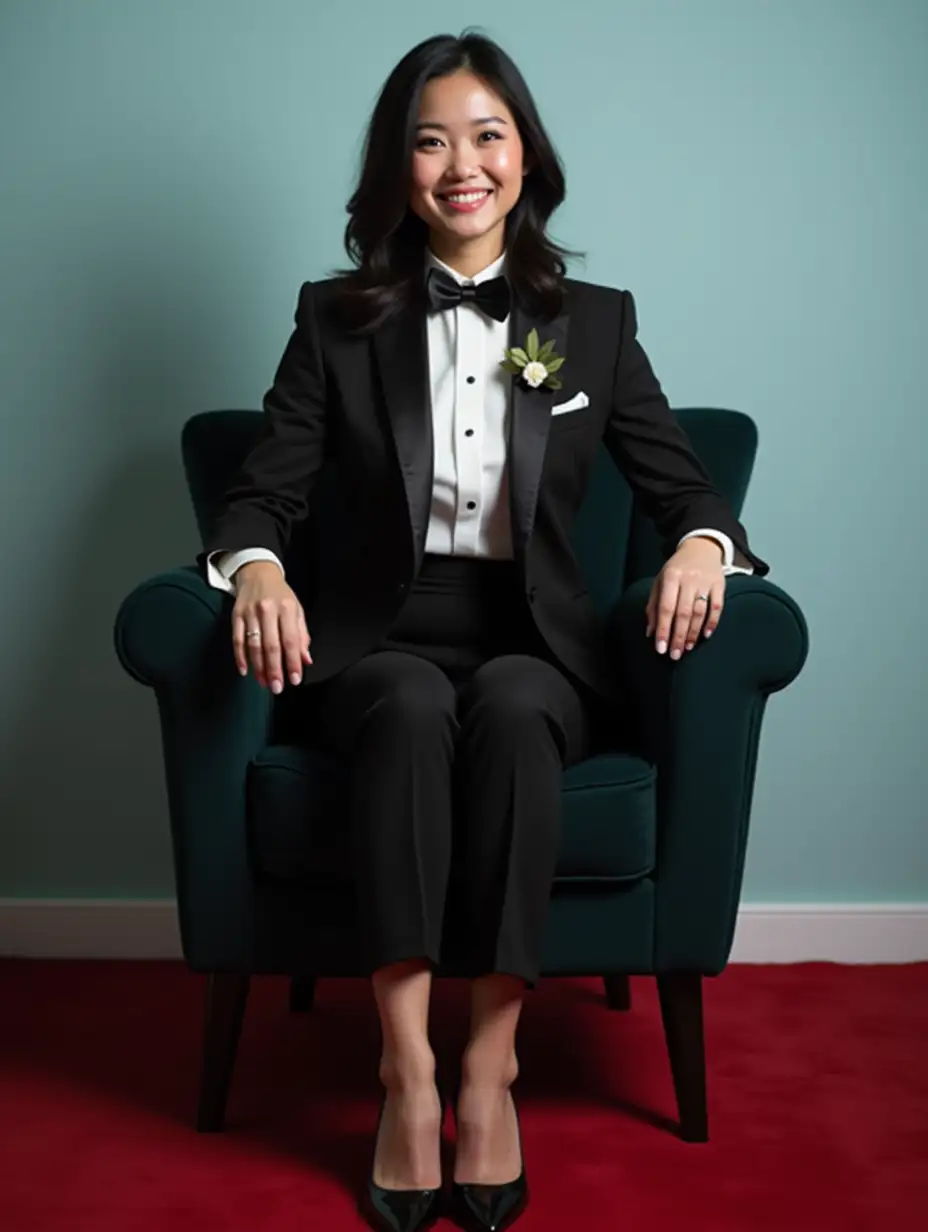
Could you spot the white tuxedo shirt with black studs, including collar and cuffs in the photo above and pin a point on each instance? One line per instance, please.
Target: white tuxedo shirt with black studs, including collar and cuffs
(470, 417)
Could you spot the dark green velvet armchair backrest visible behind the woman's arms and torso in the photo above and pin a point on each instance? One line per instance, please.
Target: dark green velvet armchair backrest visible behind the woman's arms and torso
(614, 541)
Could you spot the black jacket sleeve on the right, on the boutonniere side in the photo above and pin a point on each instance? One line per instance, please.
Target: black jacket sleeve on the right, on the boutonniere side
(656, 456)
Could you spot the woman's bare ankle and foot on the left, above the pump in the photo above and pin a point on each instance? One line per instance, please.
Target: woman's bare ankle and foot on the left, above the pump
(409, 1151)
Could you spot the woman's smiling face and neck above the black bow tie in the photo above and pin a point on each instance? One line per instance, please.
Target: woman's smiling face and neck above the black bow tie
(466, 141)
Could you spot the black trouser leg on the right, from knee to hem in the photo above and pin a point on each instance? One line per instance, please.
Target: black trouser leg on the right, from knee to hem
(522, 724)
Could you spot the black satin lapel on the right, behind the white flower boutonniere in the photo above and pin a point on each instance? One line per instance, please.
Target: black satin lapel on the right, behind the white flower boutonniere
(529, 424)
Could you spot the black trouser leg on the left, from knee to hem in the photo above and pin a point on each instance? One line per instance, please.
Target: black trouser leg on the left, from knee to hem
(393, 715)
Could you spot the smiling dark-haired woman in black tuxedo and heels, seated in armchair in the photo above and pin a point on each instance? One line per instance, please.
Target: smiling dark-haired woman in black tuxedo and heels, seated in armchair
(457, 656)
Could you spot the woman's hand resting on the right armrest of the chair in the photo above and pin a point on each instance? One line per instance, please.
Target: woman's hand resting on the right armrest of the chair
(675, 604)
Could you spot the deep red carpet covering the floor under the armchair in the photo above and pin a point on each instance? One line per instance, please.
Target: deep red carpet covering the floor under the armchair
(818, 1079)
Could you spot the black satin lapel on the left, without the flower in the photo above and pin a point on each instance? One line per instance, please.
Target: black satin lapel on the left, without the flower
(402, 352)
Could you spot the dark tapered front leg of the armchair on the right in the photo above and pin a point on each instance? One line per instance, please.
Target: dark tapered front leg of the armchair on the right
(681, 994)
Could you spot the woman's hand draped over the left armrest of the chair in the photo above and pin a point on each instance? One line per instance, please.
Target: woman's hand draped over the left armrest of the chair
(266, 604)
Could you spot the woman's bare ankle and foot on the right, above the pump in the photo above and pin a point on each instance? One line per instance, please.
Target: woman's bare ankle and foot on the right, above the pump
(487, 1130)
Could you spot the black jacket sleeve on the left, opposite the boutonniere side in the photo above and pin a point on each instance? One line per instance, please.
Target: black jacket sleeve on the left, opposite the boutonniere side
(272, 490)
